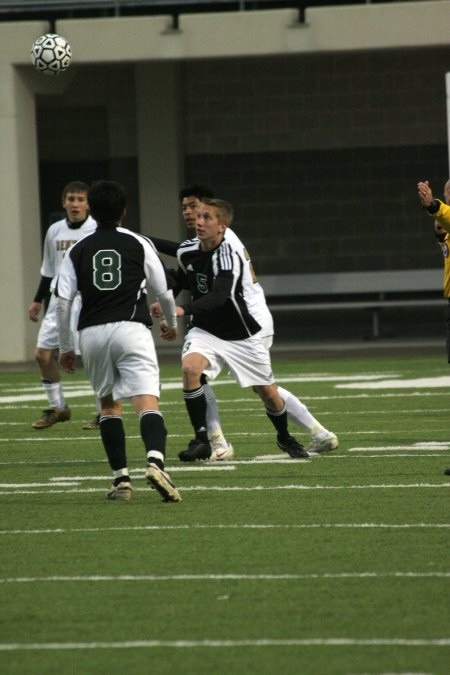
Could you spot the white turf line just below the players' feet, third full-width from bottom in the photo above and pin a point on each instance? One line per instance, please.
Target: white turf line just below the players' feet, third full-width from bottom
(304, 526)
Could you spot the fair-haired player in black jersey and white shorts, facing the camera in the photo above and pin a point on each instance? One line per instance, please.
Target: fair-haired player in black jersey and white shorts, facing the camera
(224, 332)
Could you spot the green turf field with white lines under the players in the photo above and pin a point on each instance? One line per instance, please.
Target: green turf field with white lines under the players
(335, 564)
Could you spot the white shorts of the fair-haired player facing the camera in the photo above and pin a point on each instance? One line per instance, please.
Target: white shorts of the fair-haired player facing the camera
(248, 360)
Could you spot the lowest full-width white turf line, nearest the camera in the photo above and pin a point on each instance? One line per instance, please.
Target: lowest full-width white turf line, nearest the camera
(261, 642)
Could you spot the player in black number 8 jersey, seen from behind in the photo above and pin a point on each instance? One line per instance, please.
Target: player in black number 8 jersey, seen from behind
(112, 268)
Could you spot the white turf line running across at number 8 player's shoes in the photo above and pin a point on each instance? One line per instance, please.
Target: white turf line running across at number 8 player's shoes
(255, 488)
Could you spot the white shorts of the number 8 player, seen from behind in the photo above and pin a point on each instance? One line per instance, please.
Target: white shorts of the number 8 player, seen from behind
(120, 359)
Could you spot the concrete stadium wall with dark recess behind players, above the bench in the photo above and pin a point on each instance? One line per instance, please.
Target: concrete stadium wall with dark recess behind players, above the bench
(316, 132)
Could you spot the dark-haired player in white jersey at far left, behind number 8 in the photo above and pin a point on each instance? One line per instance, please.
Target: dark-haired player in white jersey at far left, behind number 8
(59, 237)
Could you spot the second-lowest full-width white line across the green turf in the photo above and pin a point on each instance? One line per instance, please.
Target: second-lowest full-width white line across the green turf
(222, 577)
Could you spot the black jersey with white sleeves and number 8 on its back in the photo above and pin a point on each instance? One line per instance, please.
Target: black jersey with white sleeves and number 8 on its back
(112, 268)
